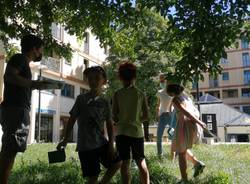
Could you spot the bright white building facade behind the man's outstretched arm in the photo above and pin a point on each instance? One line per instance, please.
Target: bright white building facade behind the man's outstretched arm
(55, 105)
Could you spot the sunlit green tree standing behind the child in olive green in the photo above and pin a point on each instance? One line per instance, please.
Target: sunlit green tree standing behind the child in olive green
(143, 46)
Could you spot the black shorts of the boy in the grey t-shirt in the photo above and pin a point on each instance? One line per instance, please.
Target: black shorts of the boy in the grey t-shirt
(91, 160)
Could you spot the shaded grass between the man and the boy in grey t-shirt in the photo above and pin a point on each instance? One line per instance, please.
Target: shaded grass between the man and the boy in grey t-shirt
(42, 173)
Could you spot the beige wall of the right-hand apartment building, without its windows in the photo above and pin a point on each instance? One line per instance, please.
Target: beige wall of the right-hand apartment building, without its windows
(235, 68)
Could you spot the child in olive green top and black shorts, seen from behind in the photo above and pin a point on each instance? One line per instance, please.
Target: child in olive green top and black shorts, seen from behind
(130, 109)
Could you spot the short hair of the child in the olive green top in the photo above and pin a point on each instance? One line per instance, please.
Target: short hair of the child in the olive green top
(127, 71)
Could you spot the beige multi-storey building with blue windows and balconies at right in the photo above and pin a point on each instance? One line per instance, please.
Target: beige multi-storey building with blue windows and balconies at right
(232, 86)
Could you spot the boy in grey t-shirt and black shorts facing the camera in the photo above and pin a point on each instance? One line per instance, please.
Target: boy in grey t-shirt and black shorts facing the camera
(91, 111)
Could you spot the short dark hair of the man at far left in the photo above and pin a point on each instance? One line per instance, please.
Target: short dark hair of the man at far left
(28, 42)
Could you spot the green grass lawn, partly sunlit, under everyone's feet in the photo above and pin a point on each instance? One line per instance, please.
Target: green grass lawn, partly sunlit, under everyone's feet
(224, 164)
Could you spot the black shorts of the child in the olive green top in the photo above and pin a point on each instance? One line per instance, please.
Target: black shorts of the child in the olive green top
(126, 144)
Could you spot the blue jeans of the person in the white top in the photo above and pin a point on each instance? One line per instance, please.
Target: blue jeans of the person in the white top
(164, 119)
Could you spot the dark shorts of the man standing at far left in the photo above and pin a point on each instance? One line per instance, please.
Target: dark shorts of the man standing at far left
(15, 123)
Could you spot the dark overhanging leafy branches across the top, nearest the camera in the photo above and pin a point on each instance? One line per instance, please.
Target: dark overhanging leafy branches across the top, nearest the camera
(204, 28)
